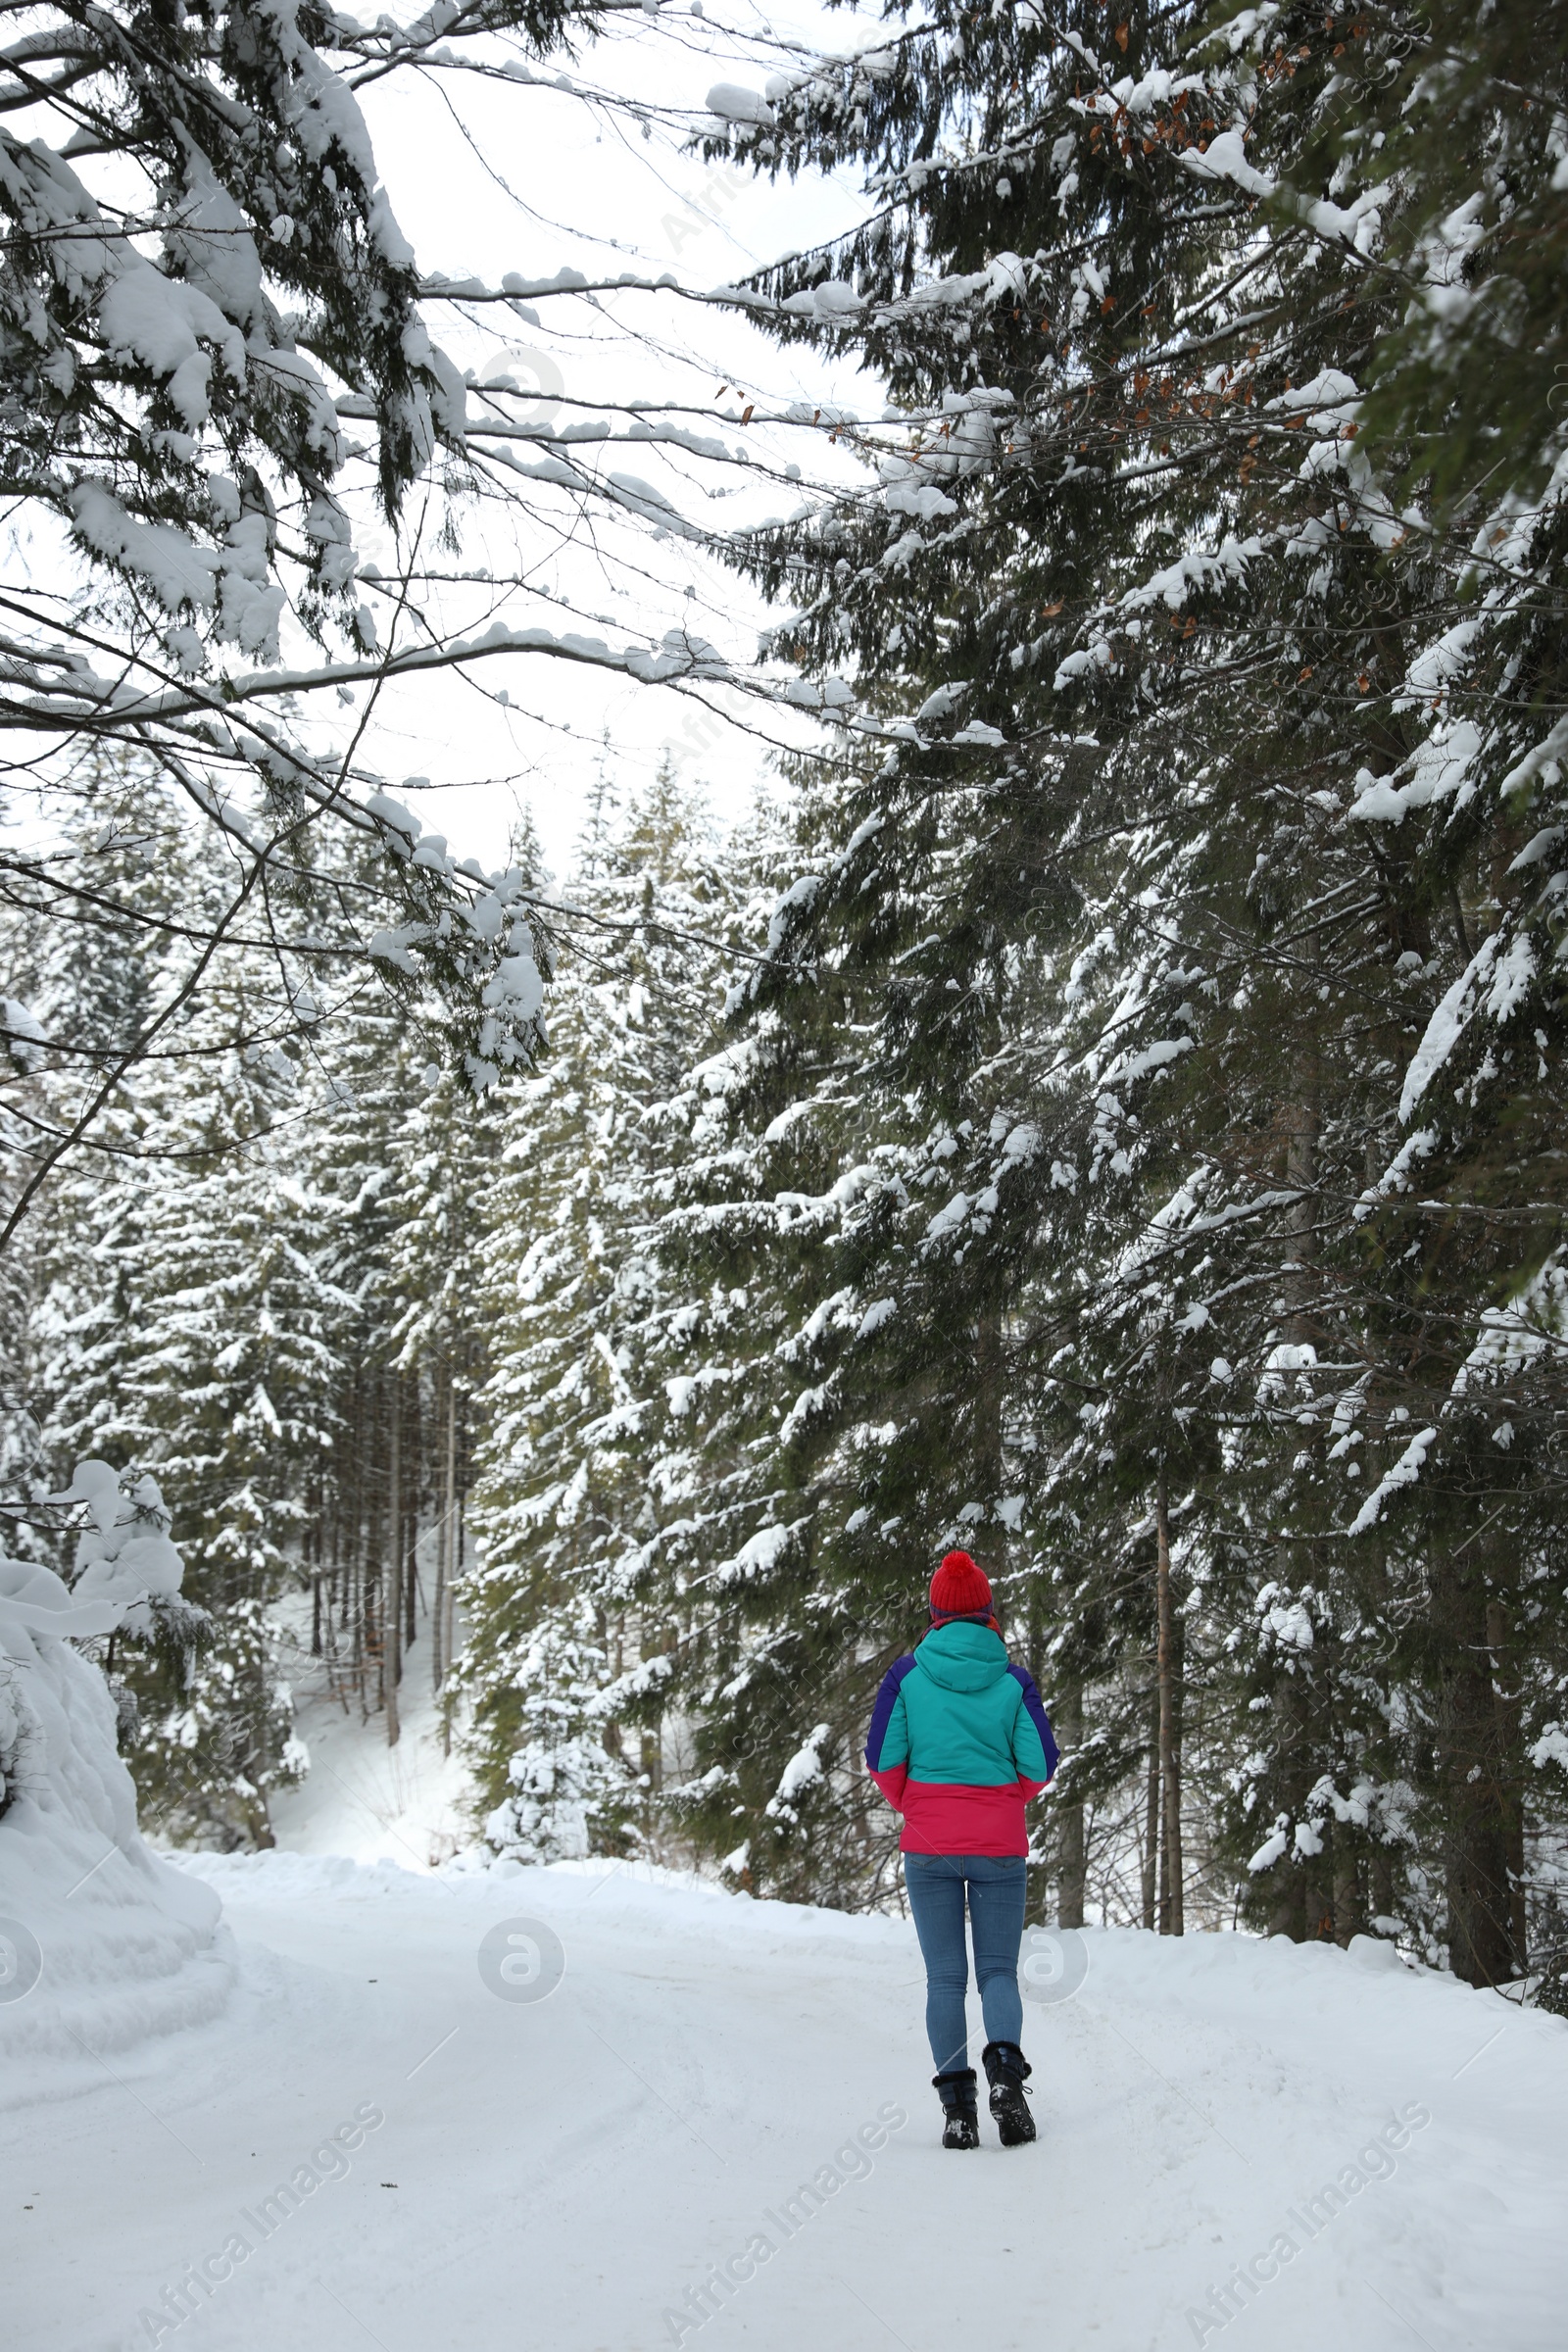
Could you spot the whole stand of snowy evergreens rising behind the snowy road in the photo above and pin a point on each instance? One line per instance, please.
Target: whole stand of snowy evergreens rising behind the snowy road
(1130, 1144)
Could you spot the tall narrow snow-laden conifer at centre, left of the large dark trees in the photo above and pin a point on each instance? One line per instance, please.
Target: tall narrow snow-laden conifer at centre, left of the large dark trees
(579, 1459)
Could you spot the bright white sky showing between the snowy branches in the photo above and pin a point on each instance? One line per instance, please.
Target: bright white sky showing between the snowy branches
(495, 178)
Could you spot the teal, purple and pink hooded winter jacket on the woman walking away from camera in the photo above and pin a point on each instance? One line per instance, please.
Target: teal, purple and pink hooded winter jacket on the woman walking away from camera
(960, 1744)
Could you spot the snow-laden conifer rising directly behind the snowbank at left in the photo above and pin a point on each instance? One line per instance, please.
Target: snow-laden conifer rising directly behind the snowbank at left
(189, 1332)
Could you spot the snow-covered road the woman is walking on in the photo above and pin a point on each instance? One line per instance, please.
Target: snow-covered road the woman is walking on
(568, 2172)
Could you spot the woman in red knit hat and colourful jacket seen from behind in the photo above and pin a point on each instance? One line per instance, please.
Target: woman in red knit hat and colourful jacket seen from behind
(958, 1746)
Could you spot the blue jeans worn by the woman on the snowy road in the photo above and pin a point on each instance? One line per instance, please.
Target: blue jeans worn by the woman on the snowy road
(996, 1913)
